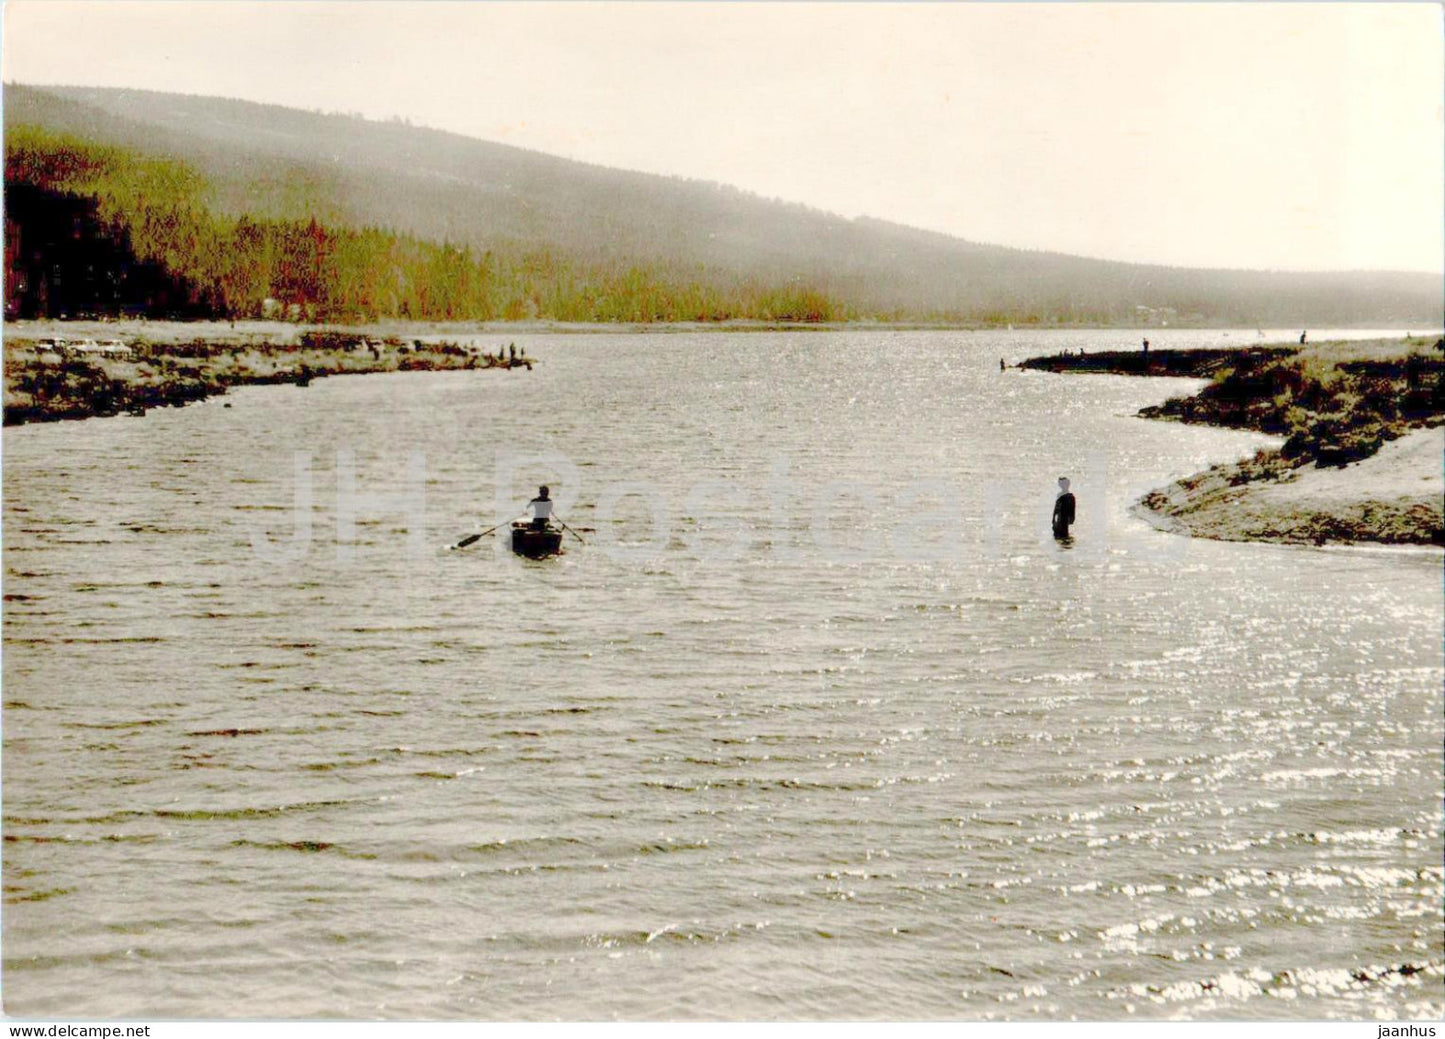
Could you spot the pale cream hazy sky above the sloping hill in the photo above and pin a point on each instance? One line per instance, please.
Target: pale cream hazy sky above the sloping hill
(1304, 137)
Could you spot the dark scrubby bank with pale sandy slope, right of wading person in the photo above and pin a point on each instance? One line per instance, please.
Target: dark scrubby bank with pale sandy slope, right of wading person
(1362, 452)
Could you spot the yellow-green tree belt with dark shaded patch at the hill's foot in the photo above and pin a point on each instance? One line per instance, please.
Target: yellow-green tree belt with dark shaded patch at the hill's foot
(100, 229)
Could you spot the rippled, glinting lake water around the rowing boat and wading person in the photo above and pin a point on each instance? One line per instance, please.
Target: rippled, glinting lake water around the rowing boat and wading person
(820, 723)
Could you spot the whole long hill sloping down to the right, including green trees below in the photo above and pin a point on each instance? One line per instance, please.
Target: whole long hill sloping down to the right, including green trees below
(217, 207)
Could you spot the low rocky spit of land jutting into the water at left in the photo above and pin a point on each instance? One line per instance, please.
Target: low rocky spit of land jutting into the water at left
(47, 381)
